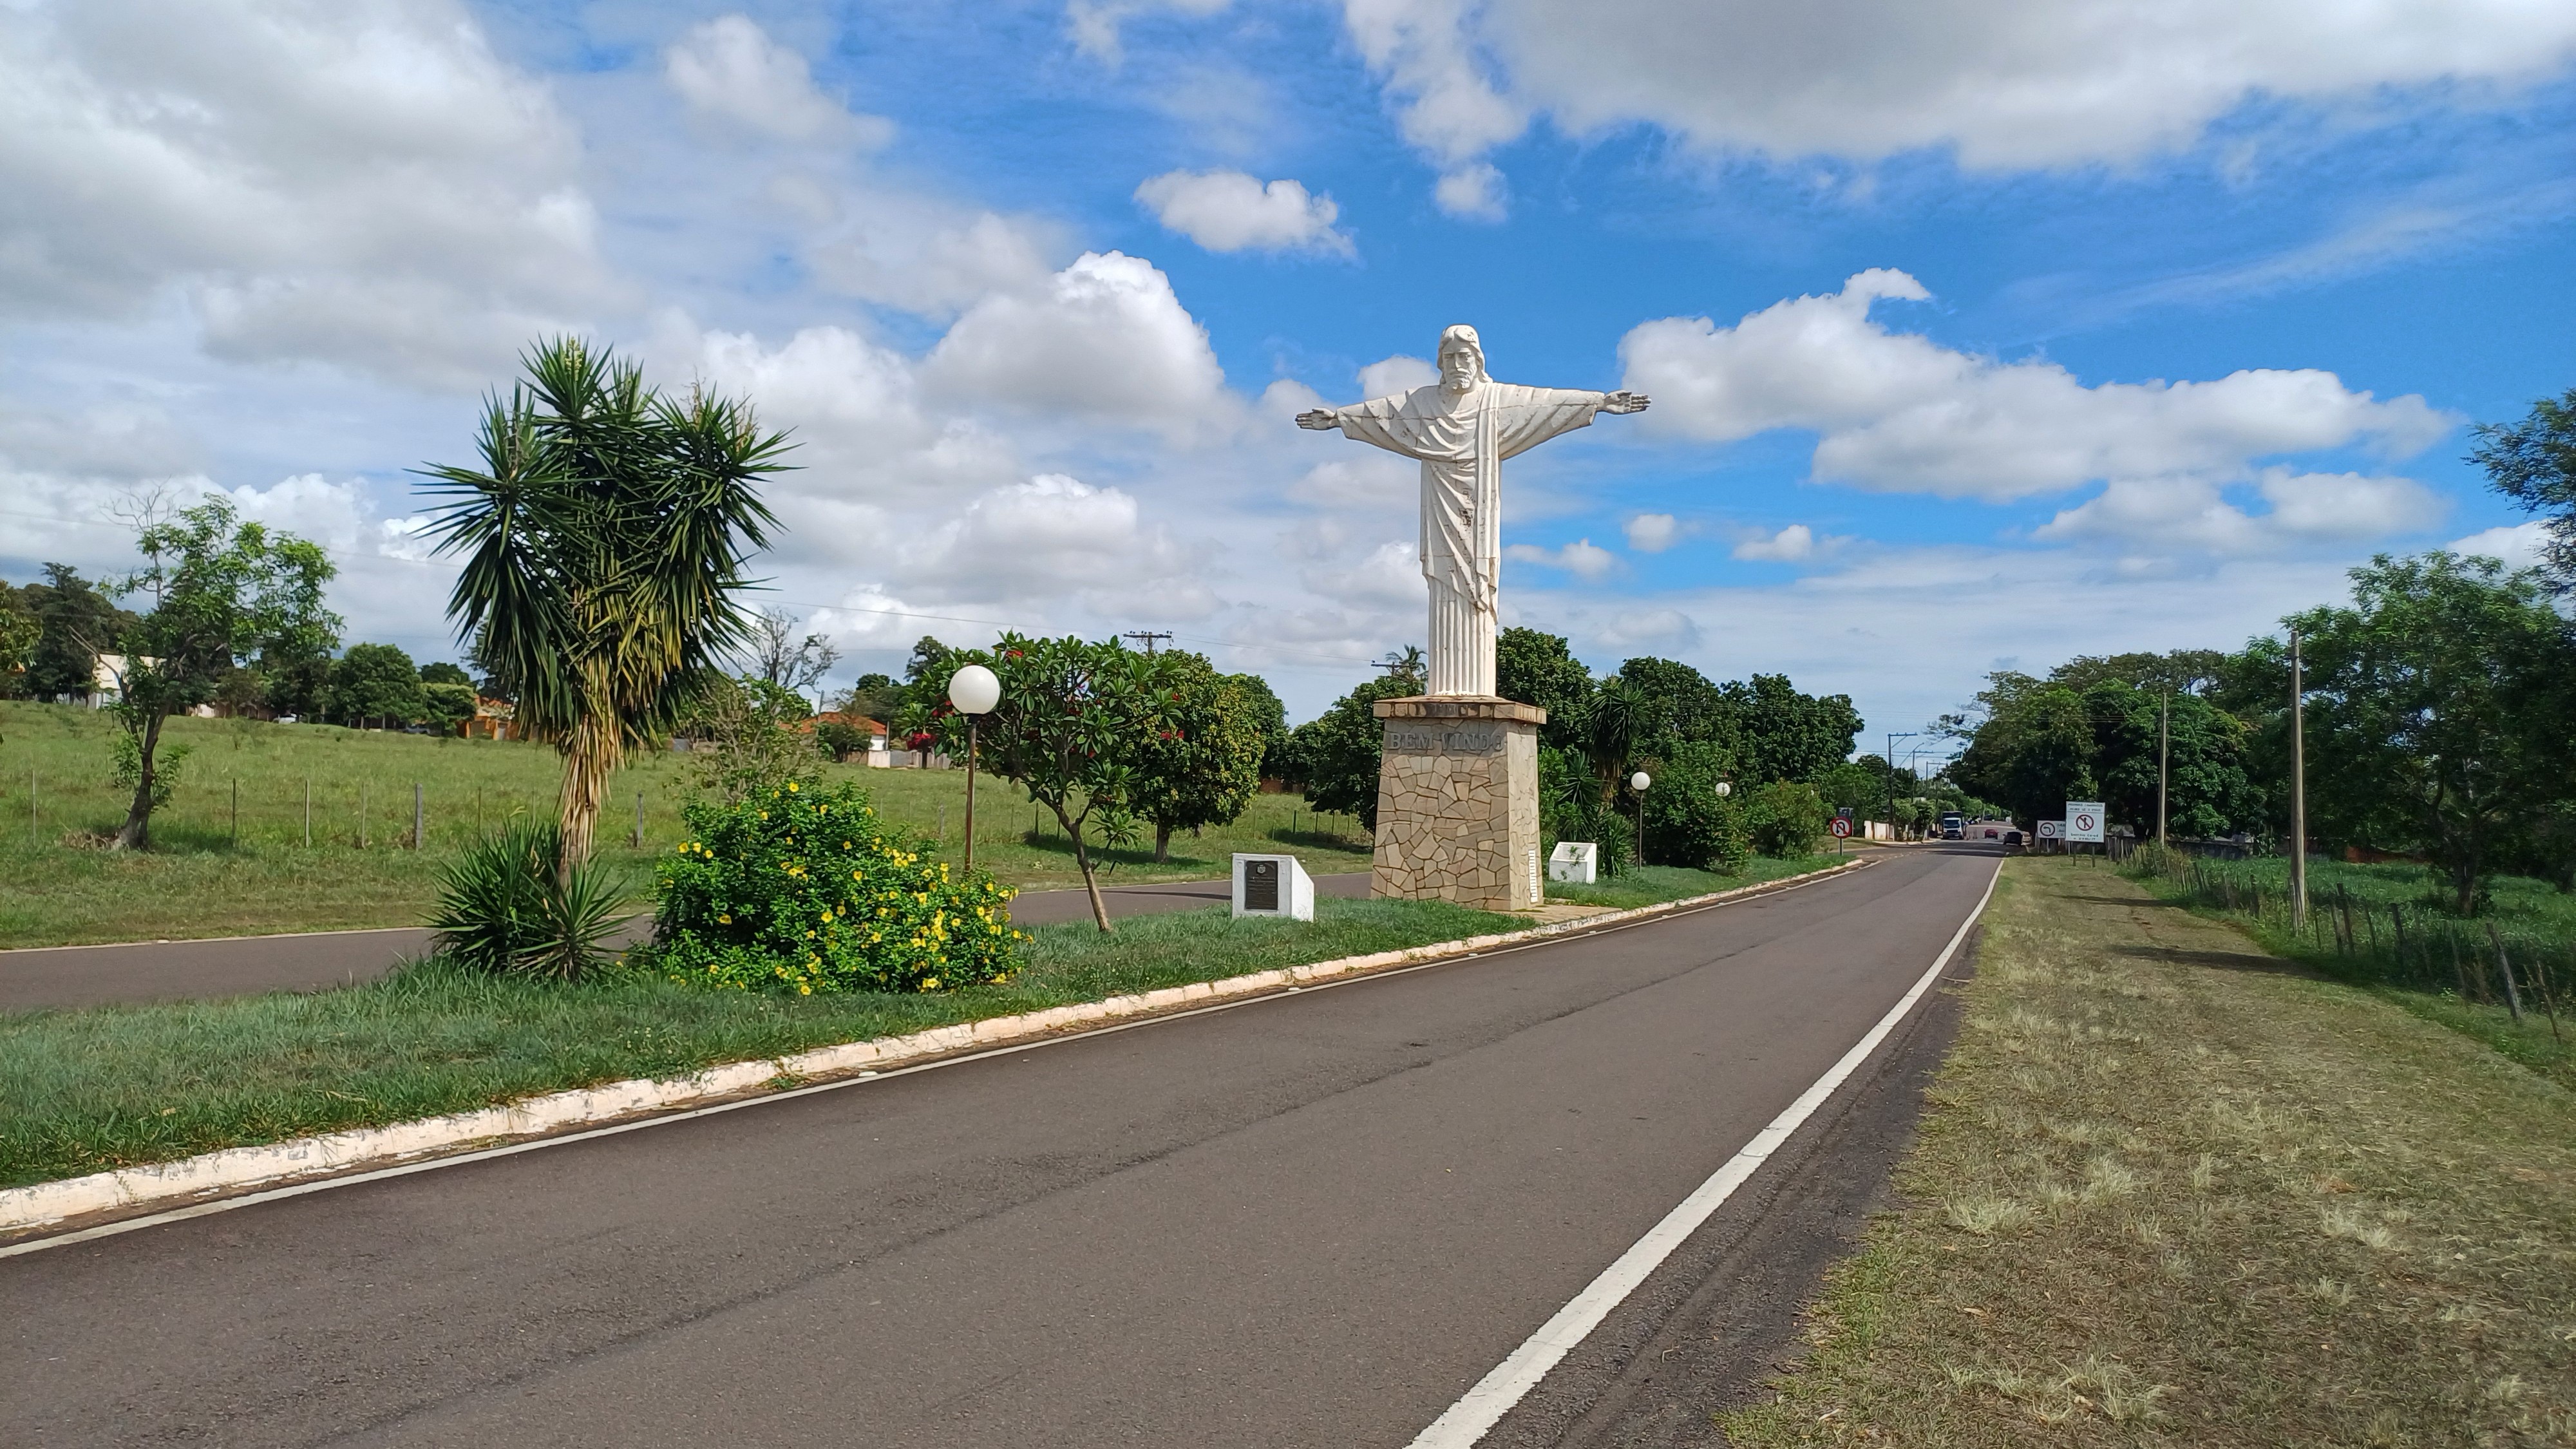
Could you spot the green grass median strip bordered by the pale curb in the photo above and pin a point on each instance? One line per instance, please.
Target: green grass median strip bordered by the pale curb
(117, 1087)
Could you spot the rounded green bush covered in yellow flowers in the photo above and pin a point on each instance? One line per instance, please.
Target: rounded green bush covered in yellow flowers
(805, 888)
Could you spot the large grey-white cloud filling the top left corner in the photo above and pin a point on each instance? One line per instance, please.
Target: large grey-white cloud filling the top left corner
(354, 184)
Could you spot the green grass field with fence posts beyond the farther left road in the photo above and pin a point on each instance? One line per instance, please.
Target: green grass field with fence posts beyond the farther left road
(210, 880)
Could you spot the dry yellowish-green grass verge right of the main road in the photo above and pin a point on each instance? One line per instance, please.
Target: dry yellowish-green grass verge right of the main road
(2173, 1190)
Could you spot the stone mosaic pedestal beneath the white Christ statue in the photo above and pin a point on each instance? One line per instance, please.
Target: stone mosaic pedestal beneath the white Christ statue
(1459, 801)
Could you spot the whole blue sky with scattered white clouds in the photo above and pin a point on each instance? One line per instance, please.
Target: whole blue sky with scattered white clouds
(1980, 334)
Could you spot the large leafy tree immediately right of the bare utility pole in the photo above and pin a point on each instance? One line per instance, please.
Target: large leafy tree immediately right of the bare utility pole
(2436, 715)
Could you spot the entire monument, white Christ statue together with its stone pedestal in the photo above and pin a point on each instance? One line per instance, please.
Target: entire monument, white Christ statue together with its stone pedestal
(1459, 770)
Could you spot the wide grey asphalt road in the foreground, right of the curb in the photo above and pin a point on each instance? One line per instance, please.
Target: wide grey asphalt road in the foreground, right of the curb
(1297, 1223)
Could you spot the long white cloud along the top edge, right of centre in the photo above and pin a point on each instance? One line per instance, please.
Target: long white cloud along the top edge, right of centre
(2003, 84)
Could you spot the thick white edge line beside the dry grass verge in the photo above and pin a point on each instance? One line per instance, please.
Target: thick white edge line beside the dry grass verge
(1482, 1406)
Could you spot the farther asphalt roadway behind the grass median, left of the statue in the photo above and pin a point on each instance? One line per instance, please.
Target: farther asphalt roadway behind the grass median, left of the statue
(238, 966)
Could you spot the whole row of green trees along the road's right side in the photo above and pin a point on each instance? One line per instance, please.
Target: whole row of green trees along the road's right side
(2438, 708)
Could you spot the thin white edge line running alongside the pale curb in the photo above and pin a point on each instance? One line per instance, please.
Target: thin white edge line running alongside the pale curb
(838, 1084)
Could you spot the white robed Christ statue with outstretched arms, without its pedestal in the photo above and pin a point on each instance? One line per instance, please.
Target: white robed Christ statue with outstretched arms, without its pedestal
(1462, 429)
